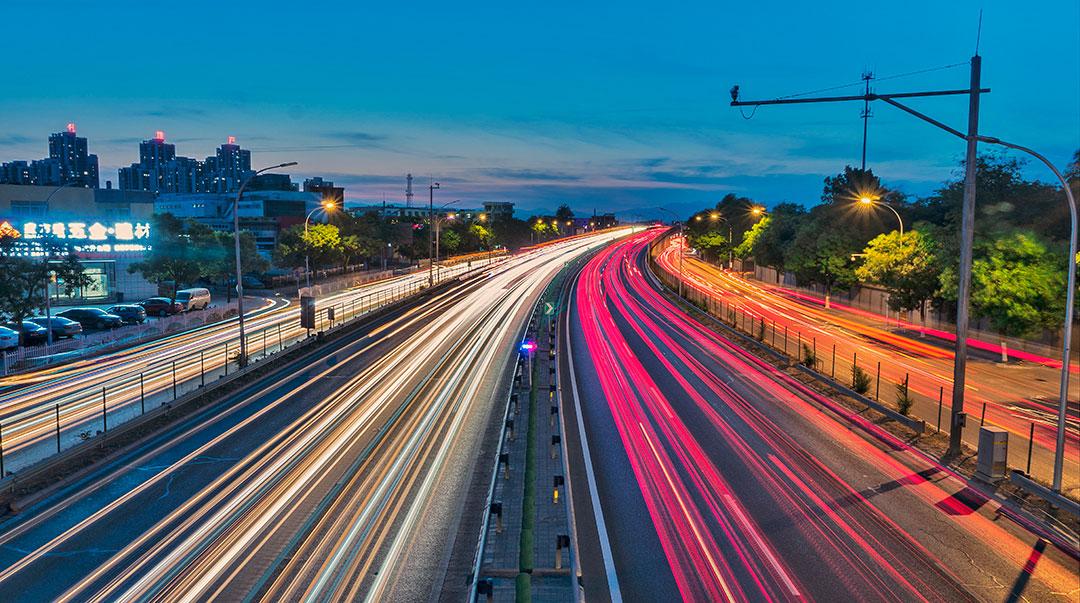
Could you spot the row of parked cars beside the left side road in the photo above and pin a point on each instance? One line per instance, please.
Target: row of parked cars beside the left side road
(73, 321)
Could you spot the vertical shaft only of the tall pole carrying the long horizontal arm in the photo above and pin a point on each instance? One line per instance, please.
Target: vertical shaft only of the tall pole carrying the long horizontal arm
(967, 240)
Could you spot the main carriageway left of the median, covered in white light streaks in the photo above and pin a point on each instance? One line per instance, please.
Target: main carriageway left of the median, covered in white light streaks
(342, 476)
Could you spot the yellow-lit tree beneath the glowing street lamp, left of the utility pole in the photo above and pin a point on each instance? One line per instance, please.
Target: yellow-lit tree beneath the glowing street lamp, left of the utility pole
(908, 267)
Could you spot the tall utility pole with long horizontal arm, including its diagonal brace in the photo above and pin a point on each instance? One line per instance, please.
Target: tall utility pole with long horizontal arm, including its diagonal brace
(968, 215)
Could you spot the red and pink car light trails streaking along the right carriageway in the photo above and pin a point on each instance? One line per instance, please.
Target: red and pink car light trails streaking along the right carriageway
(714, 467)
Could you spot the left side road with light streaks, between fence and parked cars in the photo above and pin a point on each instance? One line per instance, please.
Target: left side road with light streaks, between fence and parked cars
(144, 376)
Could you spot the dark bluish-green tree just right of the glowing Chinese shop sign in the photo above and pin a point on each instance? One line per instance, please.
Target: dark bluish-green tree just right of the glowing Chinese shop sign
(182, 252)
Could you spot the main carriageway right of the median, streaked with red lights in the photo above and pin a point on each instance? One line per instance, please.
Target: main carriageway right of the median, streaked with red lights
(707, 475)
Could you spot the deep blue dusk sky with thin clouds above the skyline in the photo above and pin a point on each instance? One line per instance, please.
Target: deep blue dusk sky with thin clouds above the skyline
(611, 106)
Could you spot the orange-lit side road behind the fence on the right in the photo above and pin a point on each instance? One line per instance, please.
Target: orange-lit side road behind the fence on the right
(1018, 397)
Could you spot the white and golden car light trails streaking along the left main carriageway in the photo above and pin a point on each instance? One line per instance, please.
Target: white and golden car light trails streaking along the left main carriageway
(329, 507)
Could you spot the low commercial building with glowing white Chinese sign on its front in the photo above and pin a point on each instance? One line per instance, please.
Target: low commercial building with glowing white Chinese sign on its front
(109, 230)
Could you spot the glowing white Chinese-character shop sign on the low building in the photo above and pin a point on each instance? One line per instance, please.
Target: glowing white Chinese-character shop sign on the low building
(86, 237)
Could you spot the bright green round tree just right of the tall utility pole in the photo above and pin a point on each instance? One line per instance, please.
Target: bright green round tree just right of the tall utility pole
(1016, 284)
